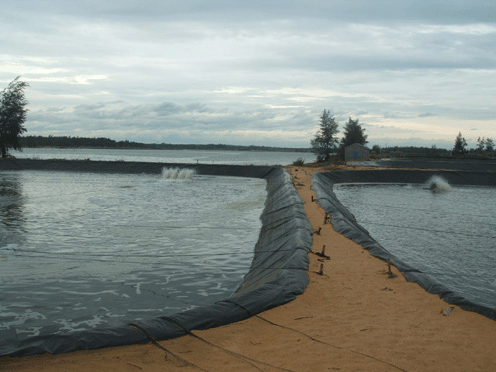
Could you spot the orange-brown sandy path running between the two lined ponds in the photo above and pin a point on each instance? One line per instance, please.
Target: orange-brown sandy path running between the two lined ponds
(351, 318)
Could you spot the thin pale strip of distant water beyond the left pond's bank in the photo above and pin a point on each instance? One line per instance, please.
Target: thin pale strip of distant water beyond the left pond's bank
(171, 156)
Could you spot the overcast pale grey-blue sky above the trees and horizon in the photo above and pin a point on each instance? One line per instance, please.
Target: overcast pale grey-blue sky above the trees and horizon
(254, 72)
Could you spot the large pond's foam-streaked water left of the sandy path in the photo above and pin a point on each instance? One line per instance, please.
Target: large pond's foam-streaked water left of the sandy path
(82, 250)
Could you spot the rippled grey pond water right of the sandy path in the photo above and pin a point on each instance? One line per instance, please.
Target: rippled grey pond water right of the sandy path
(449, 235)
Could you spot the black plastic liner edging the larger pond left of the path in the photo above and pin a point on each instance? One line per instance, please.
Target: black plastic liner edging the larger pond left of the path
(278, 272)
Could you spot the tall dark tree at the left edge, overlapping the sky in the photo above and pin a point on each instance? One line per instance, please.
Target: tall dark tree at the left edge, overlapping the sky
(12, 115)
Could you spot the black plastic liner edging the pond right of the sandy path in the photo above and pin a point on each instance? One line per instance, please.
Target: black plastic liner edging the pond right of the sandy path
(345, 223)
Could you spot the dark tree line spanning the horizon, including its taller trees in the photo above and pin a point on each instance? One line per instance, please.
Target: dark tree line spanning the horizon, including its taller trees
(324, 144)
